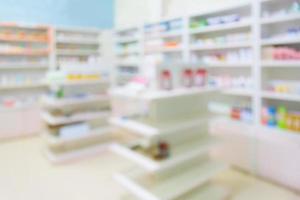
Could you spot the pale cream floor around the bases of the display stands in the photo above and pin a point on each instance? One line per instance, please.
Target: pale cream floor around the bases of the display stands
(26, 175)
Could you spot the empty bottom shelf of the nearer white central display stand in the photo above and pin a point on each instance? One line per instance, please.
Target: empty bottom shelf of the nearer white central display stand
(146, 187)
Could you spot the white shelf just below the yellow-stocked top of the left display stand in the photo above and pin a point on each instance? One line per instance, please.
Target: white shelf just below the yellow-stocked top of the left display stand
(59, 103)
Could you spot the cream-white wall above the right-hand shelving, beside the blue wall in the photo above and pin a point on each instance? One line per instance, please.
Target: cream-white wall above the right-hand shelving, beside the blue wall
(133, 12)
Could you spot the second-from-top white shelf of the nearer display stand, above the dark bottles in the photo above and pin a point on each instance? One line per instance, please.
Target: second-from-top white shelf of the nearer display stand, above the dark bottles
(151, 129)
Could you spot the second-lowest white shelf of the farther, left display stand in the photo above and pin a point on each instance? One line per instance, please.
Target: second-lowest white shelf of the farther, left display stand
(56, 140)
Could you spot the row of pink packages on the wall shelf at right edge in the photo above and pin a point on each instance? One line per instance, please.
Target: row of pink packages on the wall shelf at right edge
(282, 53)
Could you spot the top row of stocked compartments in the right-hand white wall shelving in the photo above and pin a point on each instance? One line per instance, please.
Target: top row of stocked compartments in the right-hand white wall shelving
(234, 17)
